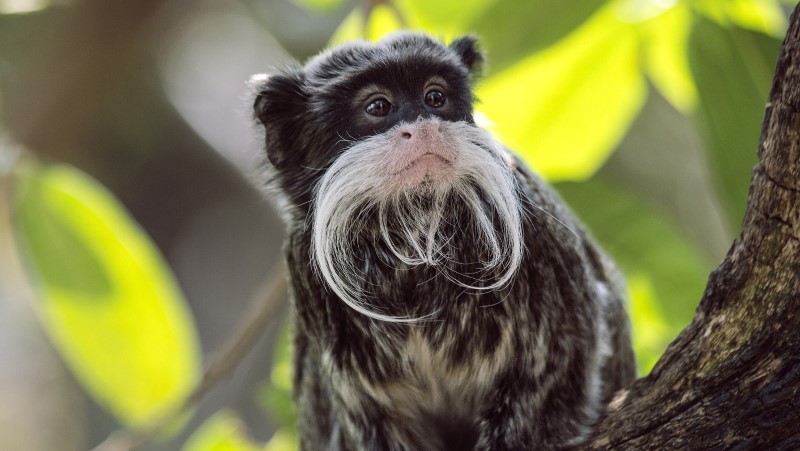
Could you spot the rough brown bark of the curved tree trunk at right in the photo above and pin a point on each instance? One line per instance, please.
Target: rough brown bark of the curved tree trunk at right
(731, 380)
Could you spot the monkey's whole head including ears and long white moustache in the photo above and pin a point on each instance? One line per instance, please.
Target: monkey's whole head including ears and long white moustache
(375, 148)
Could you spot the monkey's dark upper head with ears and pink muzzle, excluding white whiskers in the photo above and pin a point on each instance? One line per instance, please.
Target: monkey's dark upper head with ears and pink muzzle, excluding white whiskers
(360, 90)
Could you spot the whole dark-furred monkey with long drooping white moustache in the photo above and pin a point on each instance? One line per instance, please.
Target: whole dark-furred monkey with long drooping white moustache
(443, 296)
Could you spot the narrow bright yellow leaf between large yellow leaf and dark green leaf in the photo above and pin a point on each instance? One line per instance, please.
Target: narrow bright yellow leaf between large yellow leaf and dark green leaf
(666, 48)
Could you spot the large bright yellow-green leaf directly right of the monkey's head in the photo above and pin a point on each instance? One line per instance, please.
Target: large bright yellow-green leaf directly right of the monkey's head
(566, 108)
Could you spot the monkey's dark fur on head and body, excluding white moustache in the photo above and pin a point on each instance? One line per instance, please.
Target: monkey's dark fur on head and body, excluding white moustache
(345, 361)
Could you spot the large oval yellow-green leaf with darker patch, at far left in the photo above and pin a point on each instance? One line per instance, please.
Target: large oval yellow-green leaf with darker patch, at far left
(105, 296)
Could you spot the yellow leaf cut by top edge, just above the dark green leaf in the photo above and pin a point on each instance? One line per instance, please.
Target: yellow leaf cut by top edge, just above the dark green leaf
(765, 16)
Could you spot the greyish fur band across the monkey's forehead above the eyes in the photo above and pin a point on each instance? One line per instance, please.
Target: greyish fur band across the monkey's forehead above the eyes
(400, 52)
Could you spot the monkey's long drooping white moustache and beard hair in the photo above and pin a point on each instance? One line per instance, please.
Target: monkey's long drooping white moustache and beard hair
(412, 218)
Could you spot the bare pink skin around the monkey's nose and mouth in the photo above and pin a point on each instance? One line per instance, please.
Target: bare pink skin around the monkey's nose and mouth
(420, 152)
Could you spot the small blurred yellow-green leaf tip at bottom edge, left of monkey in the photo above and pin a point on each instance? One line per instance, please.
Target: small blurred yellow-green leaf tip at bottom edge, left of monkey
(222, 432)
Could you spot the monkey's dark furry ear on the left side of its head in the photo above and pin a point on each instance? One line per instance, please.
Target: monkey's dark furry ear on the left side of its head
(280, 104)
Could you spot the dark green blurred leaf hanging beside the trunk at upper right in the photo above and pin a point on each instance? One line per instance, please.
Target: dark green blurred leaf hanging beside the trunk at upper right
(733, 71)
